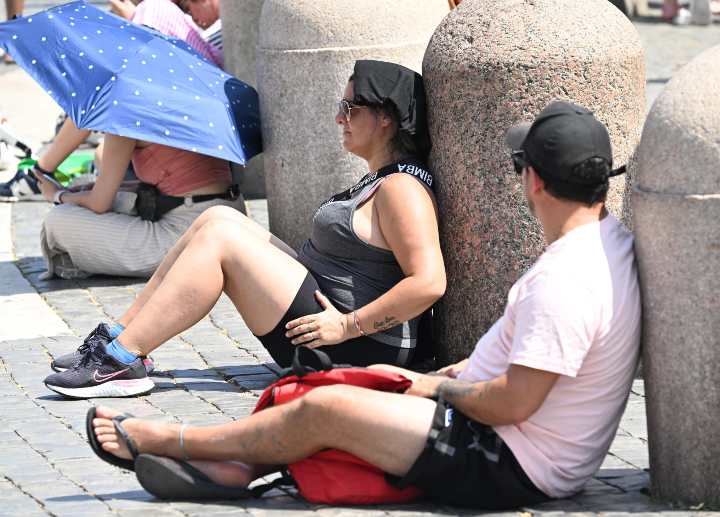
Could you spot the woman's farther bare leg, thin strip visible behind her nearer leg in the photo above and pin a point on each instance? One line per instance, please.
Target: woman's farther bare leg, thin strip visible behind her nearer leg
(217, 213)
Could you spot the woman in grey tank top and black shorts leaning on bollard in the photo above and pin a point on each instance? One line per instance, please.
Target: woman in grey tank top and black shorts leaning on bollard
(374, 253)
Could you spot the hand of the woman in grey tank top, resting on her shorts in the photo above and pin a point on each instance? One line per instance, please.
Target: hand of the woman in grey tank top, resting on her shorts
(329, 327)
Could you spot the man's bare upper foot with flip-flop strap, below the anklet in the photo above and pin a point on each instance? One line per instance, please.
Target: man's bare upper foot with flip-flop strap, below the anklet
(151, 437)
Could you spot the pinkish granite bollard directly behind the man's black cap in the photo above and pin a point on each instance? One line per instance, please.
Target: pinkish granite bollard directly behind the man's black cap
(492, 64)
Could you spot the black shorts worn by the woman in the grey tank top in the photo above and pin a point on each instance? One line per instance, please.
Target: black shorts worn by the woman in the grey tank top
(361, 351)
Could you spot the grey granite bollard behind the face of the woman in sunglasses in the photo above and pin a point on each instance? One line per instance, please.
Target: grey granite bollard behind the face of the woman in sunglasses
(306, 52)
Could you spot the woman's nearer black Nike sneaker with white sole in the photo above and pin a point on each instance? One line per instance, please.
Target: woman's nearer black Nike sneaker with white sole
(98, 374)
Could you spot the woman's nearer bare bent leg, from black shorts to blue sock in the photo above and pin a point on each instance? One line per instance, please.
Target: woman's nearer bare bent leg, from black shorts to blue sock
(259, 278)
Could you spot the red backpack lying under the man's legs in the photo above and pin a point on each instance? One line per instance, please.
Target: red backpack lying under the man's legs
(332, 476)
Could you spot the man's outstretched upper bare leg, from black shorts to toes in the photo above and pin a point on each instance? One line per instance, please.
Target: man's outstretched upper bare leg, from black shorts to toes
(386, 429)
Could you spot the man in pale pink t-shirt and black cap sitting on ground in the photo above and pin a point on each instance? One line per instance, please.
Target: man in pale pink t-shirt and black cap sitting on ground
(529, 416)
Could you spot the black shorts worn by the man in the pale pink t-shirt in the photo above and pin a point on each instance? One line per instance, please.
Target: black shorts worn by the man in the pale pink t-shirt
(466, 463)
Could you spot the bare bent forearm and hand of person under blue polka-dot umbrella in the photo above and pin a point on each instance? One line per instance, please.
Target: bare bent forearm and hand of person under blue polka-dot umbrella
(117, 154)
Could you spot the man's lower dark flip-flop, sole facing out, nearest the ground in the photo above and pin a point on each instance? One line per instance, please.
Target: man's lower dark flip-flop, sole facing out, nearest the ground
(176, 480)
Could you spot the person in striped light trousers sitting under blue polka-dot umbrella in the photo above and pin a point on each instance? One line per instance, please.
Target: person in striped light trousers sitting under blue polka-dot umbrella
(89, 234)
